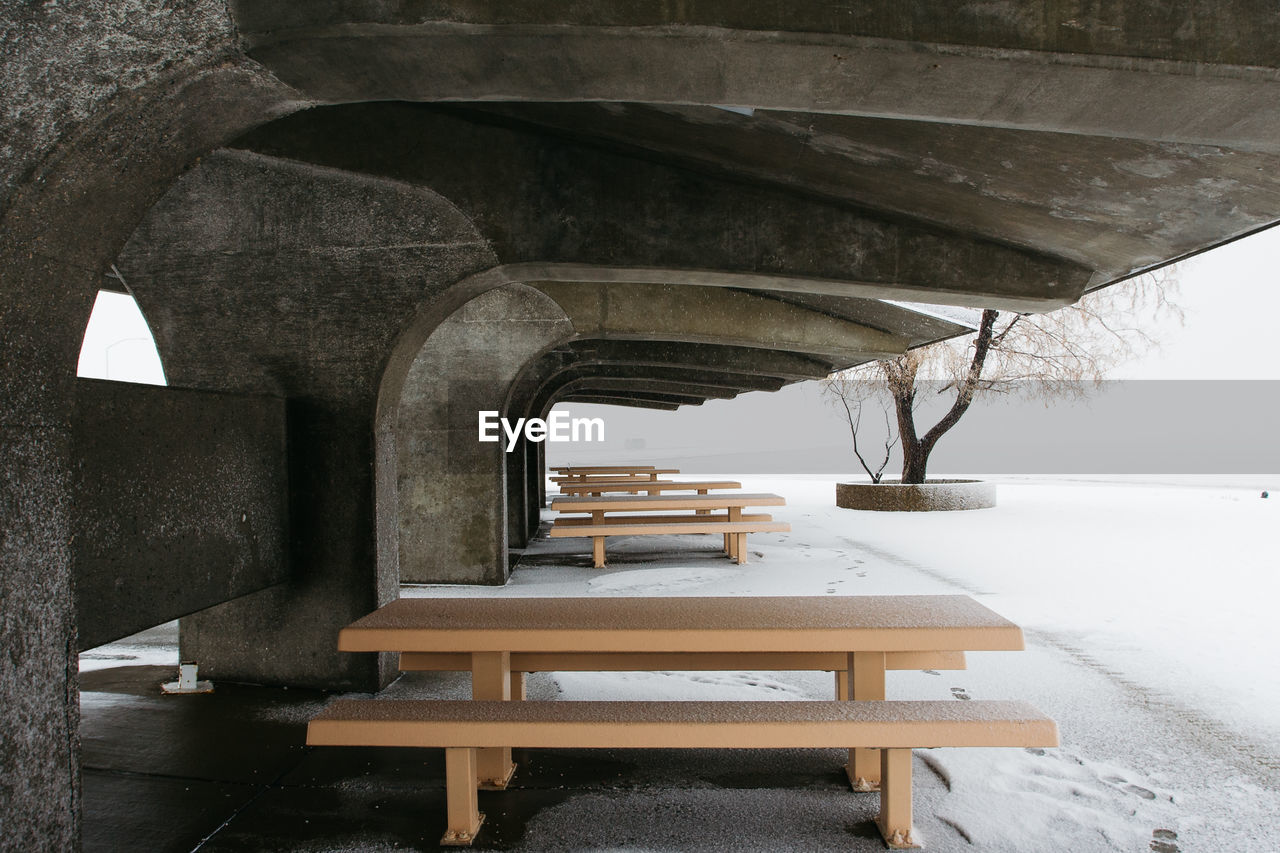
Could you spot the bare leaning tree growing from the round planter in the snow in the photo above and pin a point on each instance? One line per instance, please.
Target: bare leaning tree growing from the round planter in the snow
(1059, 354)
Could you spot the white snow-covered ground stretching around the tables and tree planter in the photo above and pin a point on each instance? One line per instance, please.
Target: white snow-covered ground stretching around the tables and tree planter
(1150, 612)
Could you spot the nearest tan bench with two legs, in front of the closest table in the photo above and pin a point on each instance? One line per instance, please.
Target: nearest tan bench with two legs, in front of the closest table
(894, 728)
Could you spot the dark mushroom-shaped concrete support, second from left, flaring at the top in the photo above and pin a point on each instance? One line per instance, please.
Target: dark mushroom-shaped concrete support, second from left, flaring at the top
(271, 277)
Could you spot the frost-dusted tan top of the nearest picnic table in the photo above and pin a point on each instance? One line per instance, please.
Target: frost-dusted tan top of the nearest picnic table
(717, 624)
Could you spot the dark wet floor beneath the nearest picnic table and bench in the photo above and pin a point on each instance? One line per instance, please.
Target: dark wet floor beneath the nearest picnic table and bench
(230, 772)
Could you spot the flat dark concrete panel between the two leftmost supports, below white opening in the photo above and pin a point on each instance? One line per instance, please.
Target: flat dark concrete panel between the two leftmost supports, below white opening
(181, 504)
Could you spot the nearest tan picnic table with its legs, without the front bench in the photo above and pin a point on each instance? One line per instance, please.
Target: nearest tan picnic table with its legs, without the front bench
(500, 640)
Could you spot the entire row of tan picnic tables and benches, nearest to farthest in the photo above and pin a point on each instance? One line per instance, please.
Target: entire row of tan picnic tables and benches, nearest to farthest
(500, 641)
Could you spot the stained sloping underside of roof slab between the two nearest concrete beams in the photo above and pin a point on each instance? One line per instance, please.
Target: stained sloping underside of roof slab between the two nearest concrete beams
(1100, 202)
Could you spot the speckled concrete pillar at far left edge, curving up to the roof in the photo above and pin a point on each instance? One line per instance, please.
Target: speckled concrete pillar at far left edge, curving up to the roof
(106, 102)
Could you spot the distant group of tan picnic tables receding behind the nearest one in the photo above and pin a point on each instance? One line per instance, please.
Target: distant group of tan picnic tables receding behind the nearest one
(633, 500)
